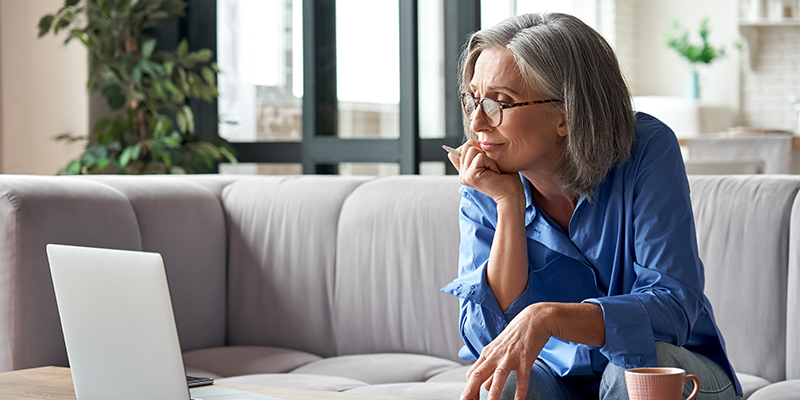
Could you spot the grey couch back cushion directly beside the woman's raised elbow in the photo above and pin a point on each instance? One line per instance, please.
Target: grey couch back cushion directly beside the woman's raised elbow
(398, 245)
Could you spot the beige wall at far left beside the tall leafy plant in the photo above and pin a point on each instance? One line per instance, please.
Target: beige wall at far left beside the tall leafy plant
(42, 91)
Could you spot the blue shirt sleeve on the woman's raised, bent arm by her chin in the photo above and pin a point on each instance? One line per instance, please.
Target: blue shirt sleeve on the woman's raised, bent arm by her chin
(481, 318)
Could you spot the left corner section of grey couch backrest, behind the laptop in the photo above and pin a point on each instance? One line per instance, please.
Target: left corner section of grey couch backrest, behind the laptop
(180, 218)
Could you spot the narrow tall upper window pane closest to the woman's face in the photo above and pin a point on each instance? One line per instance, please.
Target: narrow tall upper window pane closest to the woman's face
(431, 68)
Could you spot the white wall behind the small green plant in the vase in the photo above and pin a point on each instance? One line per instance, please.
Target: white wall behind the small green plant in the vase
(661, 71)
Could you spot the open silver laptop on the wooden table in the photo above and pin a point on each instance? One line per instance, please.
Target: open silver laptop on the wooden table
(119, 327)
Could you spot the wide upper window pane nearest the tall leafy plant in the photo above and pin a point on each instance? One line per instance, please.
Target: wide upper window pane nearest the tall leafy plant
(260, 56)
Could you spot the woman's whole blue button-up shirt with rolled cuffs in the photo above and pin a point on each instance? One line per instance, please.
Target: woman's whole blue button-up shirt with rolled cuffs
(632, 250)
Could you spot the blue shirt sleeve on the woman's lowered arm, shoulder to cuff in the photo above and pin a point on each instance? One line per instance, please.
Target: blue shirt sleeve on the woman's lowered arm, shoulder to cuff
(666, 297)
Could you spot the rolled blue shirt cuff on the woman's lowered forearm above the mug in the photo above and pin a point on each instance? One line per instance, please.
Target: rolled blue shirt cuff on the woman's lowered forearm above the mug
(629, 337)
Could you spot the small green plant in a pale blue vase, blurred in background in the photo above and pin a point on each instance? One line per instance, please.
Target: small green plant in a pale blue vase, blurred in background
(677, 39)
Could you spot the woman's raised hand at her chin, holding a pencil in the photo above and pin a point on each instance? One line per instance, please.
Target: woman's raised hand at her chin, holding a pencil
(478, 171)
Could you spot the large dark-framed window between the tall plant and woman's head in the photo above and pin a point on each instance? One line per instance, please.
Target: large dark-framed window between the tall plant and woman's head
(318, 85)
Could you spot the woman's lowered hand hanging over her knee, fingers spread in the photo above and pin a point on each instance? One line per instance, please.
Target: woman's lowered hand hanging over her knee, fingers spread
(515, 349)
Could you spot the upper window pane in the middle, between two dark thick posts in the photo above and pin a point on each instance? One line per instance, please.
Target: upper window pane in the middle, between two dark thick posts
(368, 68)
